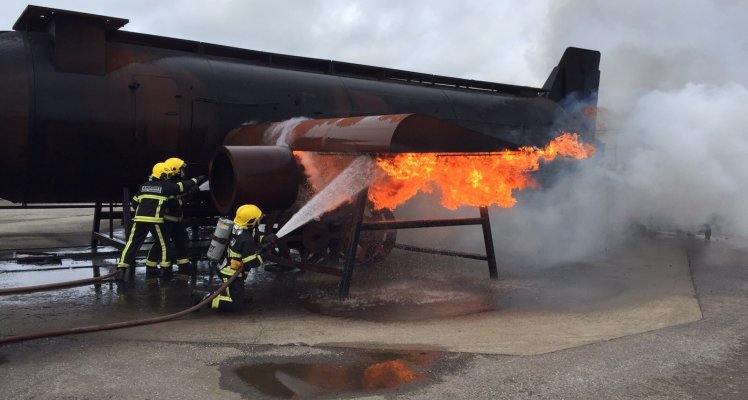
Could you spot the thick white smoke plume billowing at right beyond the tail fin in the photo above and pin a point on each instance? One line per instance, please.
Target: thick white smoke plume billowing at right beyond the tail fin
(673, 122)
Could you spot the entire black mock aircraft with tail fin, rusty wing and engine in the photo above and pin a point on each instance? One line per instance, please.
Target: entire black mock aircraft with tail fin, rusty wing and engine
(86, 108)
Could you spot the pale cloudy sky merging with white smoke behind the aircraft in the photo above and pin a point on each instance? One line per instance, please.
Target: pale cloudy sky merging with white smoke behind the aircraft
(673, 89)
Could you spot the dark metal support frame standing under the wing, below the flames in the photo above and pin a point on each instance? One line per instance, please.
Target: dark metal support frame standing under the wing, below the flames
(358, 225)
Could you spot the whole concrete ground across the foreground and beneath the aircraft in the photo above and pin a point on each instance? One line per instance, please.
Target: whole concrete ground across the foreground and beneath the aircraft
(655, 318)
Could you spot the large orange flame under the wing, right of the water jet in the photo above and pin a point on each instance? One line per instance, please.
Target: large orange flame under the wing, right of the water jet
(468, 180)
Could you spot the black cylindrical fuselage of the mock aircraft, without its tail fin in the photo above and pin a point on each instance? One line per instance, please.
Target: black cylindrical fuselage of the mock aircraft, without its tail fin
(80, 119)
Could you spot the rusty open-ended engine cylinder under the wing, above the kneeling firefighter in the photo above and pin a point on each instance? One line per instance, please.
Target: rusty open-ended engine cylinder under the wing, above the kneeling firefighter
(267, 176)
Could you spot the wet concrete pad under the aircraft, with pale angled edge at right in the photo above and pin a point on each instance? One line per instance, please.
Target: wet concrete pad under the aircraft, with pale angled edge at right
(408, 300)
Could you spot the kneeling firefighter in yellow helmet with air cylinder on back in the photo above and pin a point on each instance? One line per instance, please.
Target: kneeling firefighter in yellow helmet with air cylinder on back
(243, 250)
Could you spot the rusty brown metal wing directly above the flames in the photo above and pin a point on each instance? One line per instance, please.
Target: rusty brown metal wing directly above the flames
(411, 133)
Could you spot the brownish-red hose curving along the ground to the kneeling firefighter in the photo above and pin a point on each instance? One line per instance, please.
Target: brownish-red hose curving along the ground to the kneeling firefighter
(124, 324)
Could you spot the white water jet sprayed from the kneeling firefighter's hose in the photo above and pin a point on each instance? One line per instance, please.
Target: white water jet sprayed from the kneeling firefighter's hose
(357, 176)
